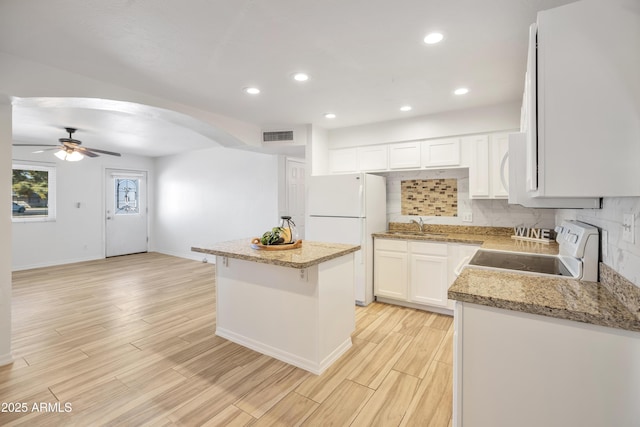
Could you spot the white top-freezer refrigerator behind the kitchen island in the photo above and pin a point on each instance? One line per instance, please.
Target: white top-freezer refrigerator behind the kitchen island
(347, 209)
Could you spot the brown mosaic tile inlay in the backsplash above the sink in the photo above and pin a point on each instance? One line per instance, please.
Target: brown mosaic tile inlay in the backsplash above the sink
(429, 197)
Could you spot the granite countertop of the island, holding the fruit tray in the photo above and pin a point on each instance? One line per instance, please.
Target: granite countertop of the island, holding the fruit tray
(310, 254)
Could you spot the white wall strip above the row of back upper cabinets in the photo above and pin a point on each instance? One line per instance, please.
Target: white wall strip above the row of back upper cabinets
(472, 121)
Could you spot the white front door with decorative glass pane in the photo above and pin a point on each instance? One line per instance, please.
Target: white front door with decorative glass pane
(126, 212)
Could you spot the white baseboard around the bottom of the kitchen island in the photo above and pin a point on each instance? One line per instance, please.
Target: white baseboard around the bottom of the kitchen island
(284, 356)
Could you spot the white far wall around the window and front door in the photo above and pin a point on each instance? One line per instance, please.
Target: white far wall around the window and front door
(77, 234)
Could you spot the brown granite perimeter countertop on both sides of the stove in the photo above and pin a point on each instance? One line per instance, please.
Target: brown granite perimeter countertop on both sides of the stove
(612, 303)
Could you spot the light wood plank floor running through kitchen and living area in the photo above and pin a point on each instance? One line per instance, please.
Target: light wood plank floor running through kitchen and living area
(130, 341)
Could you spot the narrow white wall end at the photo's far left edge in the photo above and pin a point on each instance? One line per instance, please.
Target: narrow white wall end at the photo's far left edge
(5, 232)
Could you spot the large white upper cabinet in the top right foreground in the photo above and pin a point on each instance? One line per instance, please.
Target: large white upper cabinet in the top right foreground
(581, 102)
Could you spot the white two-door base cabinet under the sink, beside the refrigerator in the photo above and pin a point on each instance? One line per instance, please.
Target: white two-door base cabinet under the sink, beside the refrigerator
(416, 272)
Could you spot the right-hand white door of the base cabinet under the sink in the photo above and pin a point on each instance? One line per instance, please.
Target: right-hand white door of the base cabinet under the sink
(428, 280)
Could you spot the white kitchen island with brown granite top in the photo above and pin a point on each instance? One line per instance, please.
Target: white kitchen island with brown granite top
(294, 305)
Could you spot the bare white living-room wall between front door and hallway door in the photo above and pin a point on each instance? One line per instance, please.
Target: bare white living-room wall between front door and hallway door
(213, 195)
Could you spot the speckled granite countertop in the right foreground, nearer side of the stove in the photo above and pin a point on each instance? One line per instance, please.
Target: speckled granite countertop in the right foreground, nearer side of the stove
(563, 298)
